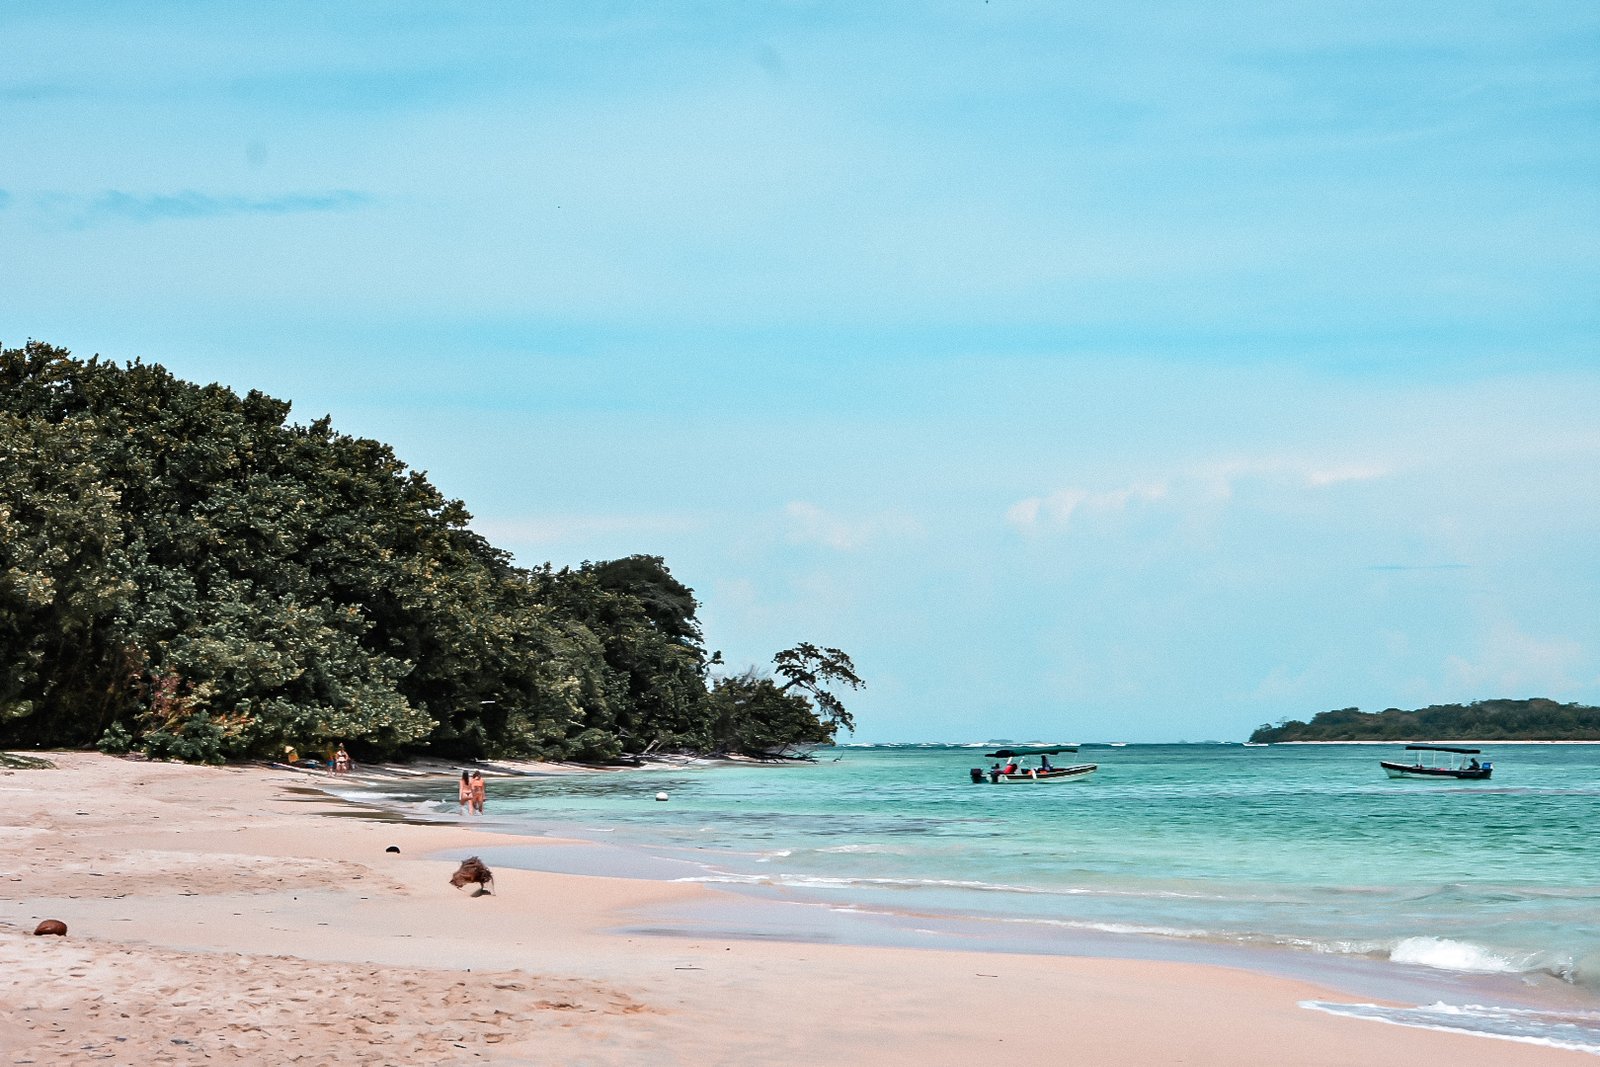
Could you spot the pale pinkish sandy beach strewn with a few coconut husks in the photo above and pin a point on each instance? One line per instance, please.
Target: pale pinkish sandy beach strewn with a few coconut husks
(239, 916)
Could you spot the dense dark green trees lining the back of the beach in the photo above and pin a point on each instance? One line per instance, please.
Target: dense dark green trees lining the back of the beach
(190, 573)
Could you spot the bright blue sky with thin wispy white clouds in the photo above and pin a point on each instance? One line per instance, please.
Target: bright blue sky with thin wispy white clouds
(1087, 372)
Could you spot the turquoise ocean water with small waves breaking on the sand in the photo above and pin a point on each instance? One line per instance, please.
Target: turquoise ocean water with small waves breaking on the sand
(1474, 905)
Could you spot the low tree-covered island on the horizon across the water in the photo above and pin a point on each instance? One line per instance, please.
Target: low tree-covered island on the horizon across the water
(1535, 719)
